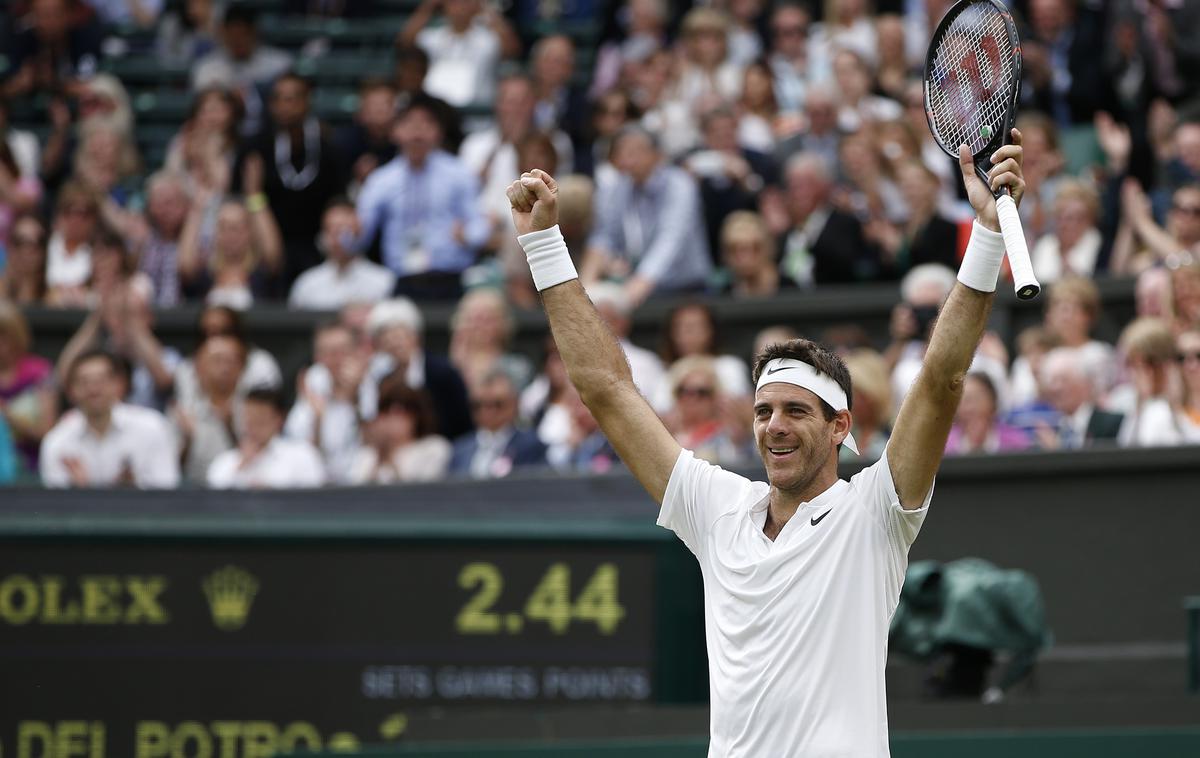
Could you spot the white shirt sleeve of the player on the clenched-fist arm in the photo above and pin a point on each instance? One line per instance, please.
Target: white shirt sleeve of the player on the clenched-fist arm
(698, 495)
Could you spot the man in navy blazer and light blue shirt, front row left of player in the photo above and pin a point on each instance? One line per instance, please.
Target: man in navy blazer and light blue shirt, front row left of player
(497, 447)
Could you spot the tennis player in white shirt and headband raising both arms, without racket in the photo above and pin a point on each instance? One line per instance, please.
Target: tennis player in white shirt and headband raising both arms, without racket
(802, 575)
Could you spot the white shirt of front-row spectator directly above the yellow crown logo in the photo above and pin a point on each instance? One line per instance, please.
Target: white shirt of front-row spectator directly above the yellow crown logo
(285, 464)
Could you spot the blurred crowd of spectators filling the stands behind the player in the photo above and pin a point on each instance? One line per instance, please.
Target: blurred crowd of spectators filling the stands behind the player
(736, 149)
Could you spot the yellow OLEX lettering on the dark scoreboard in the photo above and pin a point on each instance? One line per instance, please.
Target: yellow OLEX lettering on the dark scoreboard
(91, 600)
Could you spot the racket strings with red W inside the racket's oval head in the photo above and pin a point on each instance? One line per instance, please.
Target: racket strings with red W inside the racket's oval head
(971, 80)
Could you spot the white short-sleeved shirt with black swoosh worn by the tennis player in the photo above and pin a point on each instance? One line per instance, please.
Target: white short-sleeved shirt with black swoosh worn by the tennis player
(797, 629)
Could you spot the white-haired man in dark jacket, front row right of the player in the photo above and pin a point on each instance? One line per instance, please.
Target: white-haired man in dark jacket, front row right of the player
(1070, 389)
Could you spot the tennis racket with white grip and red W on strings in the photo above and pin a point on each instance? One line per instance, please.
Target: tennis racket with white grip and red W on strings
(973, 81)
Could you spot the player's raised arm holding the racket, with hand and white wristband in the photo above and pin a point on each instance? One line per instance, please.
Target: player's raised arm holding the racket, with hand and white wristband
(919, 440)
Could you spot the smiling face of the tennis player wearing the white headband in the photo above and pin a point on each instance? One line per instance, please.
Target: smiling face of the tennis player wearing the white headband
(794, 437)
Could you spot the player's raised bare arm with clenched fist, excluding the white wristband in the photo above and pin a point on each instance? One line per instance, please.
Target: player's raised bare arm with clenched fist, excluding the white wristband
(595, 360)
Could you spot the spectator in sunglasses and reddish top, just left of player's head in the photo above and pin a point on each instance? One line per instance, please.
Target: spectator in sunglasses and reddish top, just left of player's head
(703, 420)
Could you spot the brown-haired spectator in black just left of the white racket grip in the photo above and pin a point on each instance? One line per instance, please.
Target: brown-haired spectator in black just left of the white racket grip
(926, 236)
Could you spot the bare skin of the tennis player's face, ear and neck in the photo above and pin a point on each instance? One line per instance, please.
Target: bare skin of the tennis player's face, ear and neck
(799, 447)
